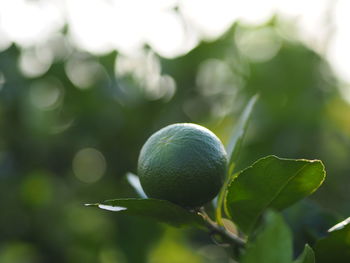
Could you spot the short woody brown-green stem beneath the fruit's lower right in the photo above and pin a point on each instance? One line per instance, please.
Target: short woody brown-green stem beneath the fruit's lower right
(220, 230)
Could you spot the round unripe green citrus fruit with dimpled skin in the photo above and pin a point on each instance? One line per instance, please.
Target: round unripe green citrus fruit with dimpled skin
(183, 163)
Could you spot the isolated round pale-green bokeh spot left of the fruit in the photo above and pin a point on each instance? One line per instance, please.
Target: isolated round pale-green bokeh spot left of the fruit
(89, 165)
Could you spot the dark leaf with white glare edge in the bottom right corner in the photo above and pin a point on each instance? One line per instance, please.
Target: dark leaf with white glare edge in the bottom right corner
(336, 246)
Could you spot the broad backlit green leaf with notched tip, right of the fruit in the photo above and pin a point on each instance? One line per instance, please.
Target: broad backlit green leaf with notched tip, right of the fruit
(271, 182)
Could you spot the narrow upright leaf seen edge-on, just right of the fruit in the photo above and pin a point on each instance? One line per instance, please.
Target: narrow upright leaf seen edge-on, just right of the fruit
(233, 149)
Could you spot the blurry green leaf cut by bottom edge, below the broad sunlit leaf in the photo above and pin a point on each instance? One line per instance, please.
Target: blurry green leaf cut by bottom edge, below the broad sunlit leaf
(273, 243)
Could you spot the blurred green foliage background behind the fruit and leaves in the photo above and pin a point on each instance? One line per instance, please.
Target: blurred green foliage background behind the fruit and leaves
(71, 130)
